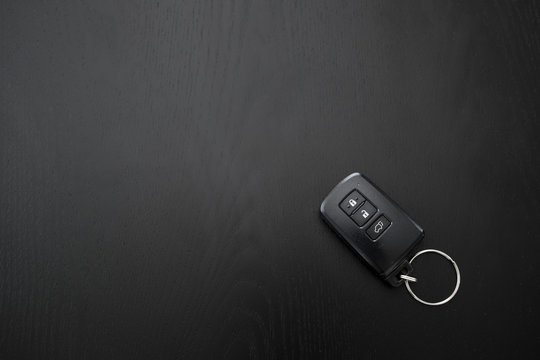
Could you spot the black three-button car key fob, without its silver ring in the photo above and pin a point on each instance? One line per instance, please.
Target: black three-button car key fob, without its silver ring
(373, 225)
